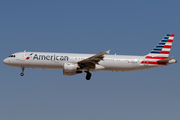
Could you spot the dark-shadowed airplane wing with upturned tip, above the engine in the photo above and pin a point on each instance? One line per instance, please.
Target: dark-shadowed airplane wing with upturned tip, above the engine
(92, 61)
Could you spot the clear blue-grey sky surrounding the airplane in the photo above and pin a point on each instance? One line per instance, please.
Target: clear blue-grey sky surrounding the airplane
(126, 27)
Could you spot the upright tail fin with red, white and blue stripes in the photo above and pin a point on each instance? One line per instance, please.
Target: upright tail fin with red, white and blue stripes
(162, 49)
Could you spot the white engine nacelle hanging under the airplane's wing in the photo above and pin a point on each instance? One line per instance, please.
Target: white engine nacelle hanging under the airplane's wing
(70, 69)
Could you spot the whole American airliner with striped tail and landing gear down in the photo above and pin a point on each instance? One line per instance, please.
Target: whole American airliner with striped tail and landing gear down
(73, 64)
